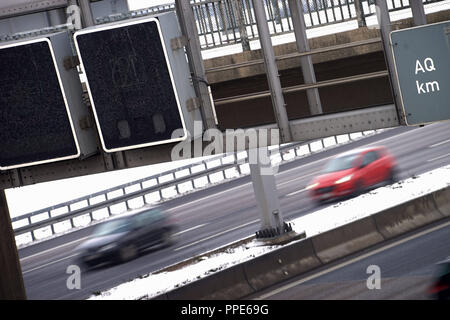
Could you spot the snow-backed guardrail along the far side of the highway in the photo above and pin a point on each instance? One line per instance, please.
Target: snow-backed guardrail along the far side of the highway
(83, 211)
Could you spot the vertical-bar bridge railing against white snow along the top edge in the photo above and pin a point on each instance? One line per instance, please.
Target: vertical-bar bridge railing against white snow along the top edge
(225, 22)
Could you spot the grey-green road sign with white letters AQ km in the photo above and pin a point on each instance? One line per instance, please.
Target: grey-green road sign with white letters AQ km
(422, 64)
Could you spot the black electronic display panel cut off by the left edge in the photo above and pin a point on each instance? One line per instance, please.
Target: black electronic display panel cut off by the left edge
(34, 122)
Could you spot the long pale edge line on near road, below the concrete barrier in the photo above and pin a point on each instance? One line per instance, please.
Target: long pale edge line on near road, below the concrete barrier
(301, 281)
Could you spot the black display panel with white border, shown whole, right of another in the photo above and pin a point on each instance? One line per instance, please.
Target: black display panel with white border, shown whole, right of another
(130, 84)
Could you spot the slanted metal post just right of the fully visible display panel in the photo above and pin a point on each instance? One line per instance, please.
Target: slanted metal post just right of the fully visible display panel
(201, 86)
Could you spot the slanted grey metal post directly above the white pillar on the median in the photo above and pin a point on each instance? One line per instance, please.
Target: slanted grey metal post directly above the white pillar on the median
(273, 77)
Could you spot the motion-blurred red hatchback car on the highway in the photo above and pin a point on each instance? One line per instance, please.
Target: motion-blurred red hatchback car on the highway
(353, 172)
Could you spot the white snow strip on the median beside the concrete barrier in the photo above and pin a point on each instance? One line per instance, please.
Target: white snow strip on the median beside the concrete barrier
(317, 222)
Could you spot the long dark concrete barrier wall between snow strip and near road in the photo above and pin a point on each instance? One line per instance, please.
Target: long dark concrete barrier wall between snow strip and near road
(305, 255)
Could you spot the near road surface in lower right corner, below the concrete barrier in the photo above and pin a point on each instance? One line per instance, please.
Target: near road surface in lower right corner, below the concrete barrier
(407, 268)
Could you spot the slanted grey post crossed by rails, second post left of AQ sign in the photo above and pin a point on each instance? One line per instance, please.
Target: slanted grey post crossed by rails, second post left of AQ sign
(309, 76)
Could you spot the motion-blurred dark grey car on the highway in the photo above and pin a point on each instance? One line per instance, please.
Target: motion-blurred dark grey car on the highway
(124, 238)
